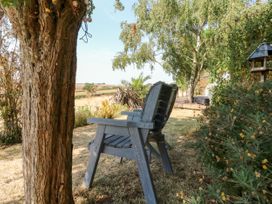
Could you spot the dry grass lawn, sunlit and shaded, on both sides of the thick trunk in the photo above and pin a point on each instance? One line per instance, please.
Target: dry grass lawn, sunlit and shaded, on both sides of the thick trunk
(115, 182)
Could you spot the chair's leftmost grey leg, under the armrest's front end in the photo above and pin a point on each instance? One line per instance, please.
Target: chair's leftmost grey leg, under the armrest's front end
(95, 151)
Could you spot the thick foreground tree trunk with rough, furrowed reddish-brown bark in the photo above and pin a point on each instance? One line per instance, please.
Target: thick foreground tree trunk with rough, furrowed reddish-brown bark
(48, 31)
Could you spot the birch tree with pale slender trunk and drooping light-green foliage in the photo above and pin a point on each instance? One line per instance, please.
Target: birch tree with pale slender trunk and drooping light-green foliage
(175, 34)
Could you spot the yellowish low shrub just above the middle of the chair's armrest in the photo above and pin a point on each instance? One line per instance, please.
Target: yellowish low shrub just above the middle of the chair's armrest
(108, 110)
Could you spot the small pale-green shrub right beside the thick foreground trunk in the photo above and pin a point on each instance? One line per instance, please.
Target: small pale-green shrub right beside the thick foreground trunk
(81, 115)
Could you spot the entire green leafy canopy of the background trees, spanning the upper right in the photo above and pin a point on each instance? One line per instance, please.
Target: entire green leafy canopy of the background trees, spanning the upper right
(186, 37)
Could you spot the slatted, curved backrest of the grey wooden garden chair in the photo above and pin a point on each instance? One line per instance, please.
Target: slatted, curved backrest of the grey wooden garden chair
(158, 104)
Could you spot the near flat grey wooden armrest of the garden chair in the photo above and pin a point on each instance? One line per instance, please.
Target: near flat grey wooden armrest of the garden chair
(120, 123)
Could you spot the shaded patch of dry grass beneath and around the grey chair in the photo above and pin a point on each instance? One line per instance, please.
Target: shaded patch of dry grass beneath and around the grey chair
(119, 183)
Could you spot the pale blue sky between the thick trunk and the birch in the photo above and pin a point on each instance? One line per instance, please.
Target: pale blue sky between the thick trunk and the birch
(95, 57)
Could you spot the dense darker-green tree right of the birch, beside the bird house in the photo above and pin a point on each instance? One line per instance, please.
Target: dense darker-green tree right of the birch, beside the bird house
(243, 28)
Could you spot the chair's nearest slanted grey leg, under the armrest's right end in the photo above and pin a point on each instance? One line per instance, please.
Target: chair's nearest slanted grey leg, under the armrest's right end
(143, 166)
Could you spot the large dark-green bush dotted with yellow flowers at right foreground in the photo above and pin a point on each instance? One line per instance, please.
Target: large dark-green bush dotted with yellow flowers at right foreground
(235, 144)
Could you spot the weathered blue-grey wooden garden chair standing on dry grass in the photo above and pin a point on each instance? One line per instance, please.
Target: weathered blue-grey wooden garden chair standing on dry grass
(127, 138)
